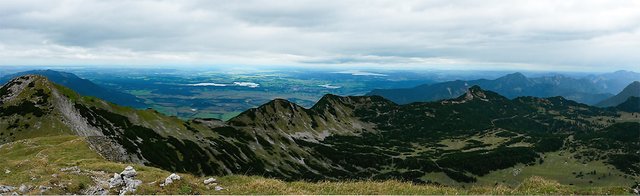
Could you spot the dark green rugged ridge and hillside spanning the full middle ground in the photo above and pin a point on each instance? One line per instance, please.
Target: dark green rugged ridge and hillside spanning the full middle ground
(480, 138)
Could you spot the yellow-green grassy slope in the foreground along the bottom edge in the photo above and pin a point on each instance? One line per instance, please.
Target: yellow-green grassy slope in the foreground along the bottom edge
(34, 161)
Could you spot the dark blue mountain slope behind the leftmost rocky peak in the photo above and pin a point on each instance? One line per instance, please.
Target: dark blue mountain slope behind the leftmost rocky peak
(84, 87)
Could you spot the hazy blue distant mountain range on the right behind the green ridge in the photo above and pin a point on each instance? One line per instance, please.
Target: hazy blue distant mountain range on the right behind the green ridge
(590, 90)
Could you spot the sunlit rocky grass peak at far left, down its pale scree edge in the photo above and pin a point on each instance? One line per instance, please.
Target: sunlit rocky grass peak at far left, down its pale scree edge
(34, 107)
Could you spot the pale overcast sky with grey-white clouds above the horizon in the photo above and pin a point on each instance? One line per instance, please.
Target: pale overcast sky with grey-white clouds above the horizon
(569, 35)
